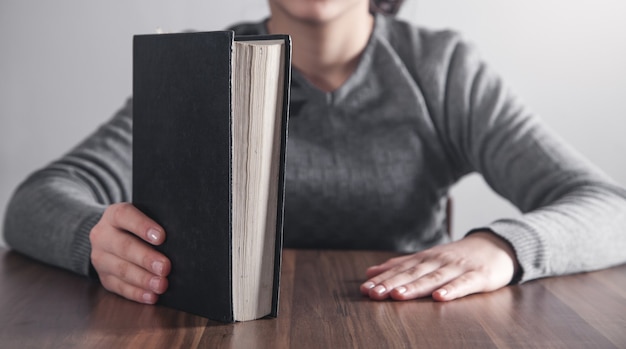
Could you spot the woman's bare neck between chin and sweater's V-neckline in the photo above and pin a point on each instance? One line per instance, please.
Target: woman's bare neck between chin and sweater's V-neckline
(326, 52)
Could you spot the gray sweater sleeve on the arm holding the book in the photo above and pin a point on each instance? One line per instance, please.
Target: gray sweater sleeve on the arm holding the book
(51, 213)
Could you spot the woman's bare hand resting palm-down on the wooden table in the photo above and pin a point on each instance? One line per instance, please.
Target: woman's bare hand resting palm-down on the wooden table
(481, 262)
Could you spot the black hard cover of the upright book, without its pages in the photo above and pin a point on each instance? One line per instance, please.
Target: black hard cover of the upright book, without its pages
(183, 162)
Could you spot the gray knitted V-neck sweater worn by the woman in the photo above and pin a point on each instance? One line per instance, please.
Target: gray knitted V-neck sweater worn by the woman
(370, 165)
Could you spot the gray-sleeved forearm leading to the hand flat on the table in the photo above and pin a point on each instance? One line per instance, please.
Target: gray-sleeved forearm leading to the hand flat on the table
(584, 230)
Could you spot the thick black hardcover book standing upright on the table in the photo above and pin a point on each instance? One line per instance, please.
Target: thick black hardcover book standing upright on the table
(210, 114)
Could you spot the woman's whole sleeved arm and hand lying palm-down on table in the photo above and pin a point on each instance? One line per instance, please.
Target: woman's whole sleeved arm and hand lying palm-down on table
(573, 218)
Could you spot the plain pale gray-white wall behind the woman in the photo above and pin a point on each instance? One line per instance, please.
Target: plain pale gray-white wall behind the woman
(65, 67)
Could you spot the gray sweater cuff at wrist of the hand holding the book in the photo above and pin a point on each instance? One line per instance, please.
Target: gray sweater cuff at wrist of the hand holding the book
(81, 246)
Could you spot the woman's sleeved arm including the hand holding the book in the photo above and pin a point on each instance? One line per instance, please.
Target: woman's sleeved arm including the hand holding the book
(72, 214)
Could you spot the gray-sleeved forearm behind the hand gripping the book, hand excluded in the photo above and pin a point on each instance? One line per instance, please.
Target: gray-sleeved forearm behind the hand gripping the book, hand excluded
(49, 219)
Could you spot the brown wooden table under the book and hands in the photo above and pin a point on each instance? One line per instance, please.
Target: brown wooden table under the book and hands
(320, 307)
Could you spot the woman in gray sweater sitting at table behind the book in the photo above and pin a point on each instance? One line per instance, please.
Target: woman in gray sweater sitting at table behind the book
(385, 118)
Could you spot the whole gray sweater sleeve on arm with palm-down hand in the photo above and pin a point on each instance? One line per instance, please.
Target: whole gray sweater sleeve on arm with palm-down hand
(573, 215)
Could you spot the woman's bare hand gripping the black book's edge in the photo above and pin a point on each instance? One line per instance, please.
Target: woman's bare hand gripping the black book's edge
(125, 263)
